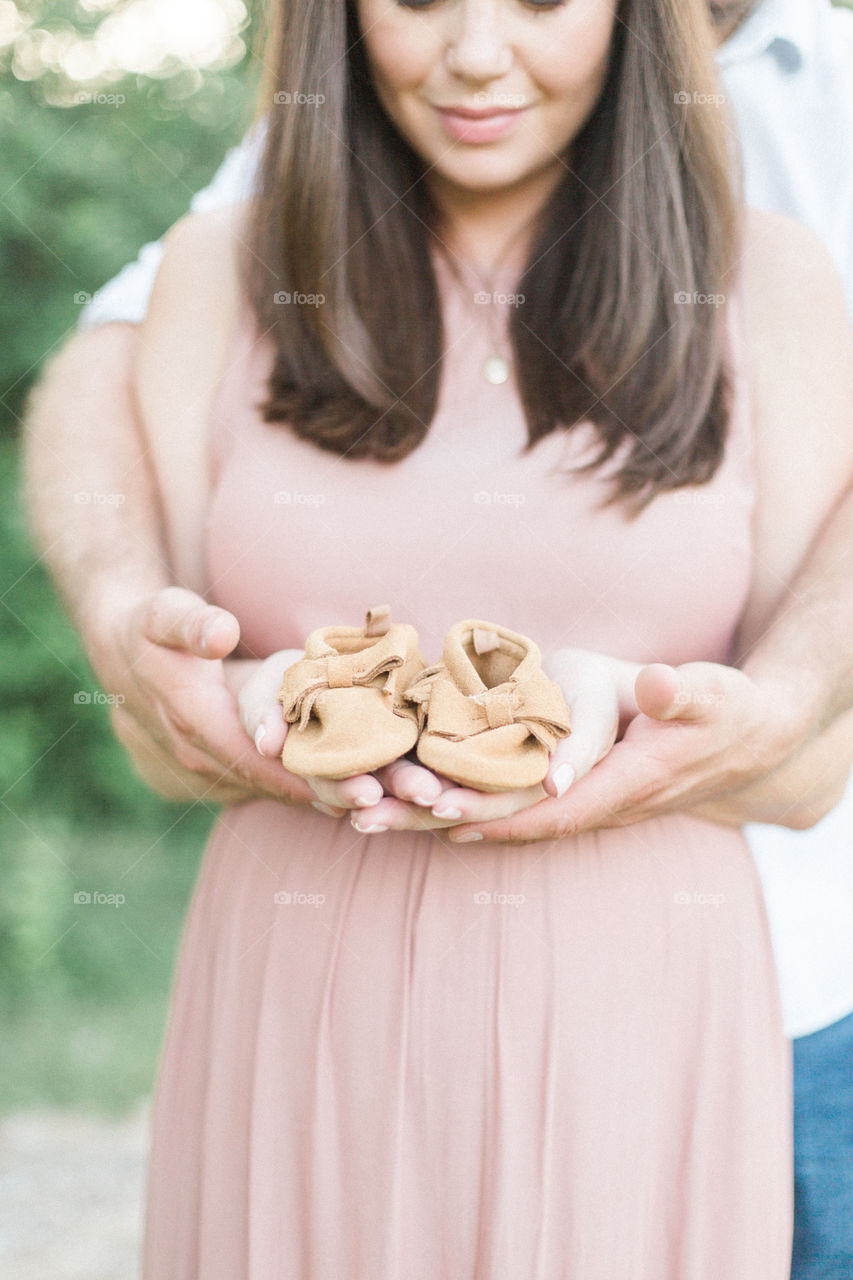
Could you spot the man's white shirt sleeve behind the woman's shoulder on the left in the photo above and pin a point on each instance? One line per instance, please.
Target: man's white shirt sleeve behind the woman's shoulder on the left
(126, 296)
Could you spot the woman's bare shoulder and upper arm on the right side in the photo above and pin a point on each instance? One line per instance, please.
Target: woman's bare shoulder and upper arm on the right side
(800, 359)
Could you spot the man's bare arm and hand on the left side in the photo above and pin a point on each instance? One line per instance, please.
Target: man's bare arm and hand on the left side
(95, 518)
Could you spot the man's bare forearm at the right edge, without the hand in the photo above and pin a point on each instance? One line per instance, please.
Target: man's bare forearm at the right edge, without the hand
(808, 650)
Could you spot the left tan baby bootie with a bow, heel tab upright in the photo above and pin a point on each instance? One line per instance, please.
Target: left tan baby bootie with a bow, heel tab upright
(345, 698)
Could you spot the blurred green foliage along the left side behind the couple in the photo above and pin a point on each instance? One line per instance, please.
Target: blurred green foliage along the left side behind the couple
(84, 986)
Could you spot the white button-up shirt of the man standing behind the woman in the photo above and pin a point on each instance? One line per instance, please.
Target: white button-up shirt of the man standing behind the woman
(788, 76)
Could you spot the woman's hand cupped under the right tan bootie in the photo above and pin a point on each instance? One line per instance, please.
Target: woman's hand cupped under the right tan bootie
(599, 692)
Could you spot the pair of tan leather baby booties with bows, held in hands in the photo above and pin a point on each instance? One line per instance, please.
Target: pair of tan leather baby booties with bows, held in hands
(486, 716)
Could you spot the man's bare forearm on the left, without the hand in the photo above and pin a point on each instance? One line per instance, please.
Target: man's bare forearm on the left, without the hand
(93, 505)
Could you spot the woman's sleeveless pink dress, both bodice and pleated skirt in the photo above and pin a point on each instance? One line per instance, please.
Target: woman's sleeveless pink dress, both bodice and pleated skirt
(395, 1059)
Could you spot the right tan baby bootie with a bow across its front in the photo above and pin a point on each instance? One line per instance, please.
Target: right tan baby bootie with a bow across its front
(489, 715)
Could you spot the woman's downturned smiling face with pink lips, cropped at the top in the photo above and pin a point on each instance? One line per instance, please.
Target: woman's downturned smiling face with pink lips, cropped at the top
(489, 93)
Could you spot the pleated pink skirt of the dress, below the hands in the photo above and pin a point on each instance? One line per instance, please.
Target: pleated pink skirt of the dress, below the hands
(394, 1059)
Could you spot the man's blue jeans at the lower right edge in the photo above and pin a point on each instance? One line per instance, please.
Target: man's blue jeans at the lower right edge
(824, 1154)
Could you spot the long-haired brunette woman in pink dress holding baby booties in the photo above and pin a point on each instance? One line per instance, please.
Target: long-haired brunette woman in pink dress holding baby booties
(491, 342)
